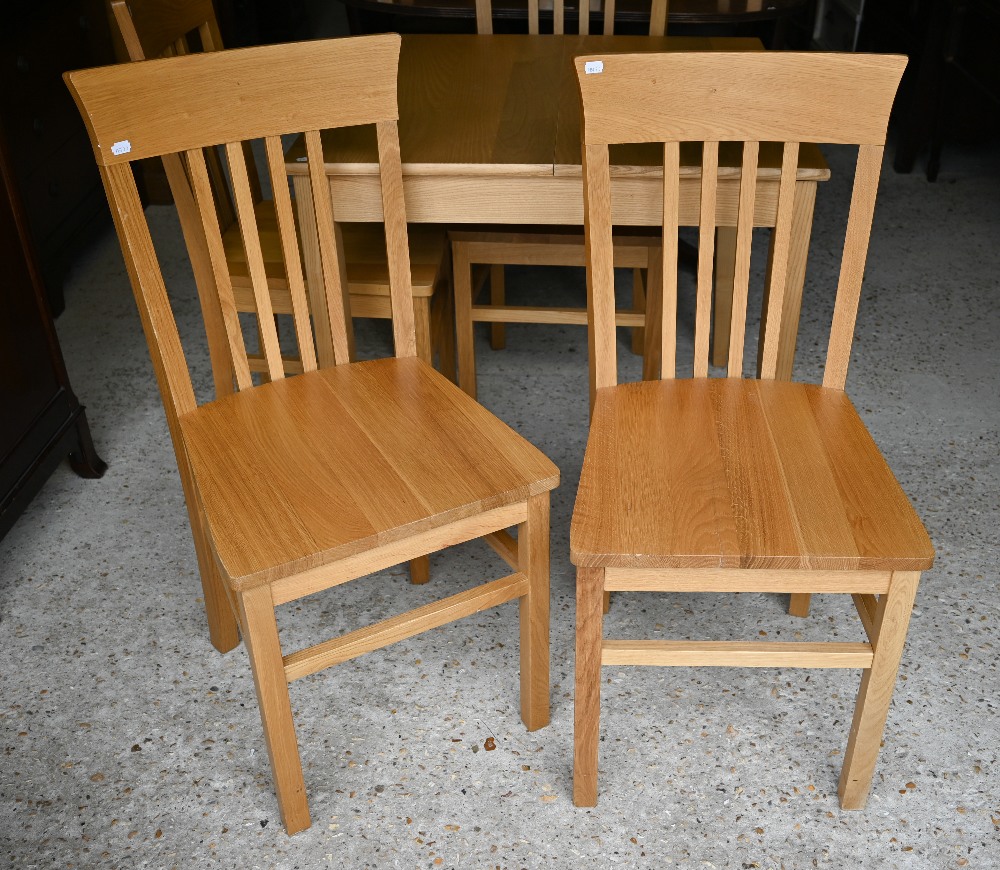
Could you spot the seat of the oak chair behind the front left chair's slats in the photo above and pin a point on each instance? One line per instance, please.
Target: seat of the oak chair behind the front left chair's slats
(364, 250)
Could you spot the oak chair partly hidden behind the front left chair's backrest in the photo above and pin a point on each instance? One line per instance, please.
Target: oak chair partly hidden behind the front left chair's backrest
(161, 28)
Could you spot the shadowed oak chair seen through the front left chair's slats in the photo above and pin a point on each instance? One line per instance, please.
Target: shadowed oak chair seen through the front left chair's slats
(164, 28)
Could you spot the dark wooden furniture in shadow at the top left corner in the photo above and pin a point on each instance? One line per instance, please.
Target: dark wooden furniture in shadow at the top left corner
(49, 150)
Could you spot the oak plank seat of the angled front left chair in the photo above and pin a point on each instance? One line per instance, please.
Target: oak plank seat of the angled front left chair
(302, 471)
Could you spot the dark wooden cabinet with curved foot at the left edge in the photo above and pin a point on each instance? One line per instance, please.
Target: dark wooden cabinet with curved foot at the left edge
(41, 421)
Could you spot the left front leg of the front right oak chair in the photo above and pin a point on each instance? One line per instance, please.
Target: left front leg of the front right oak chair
(587, 706)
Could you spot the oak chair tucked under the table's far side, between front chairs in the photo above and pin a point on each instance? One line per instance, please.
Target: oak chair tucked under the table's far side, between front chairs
(497, 247)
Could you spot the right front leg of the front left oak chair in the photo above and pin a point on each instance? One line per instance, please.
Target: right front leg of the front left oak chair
(533, 562)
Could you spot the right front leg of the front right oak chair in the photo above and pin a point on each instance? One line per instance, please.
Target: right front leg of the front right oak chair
(891, 621)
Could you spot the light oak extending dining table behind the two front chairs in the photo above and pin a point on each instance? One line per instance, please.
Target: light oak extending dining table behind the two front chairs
(489, 131)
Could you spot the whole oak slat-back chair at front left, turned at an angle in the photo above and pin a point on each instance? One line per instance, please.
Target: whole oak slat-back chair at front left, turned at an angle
(307, 482)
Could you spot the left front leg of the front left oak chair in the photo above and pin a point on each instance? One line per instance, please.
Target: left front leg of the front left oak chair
(260, 634)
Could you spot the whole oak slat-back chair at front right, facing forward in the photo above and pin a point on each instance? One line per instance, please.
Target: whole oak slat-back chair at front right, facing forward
(732, 484)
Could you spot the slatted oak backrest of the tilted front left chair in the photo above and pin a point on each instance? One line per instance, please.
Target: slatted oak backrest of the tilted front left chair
(184, 105)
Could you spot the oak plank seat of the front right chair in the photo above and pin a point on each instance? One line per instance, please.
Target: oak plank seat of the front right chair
(736, 473)
